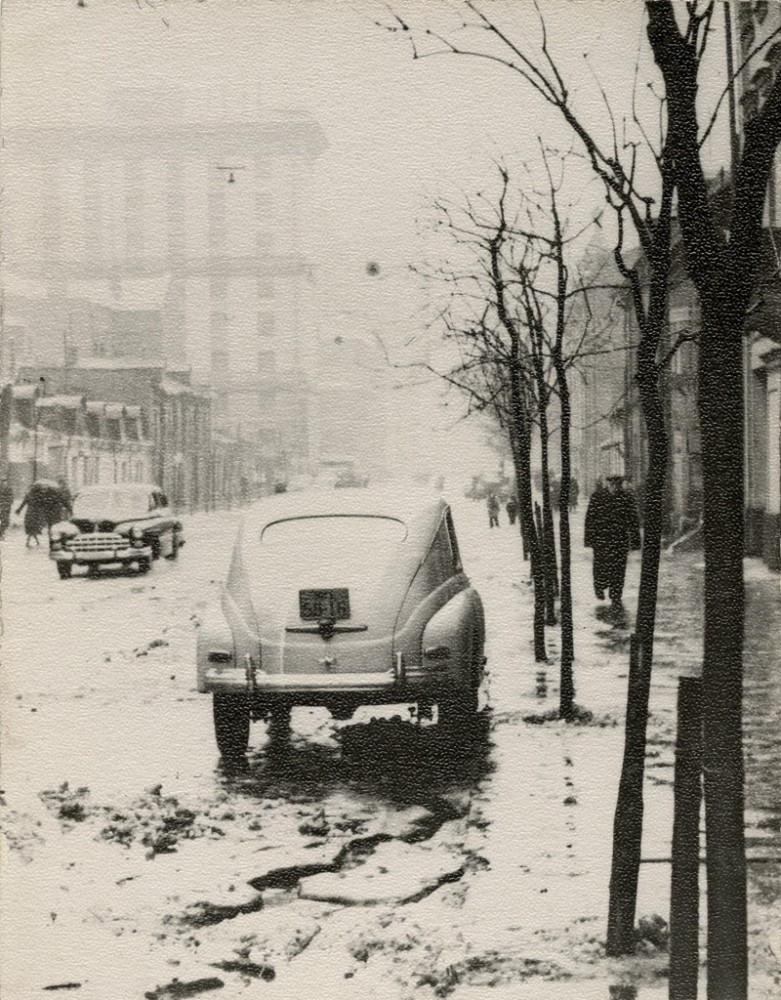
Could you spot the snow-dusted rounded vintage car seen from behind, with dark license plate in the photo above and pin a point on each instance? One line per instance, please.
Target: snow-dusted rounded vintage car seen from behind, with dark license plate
(342, 599)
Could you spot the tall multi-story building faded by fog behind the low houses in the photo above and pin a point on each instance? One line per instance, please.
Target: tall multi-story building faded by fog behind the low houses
(171, 239)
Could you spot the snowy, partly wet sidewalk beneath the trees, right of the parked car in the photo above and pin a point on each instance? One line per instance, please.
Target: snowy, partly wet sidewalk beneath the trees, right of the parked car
(551, 801)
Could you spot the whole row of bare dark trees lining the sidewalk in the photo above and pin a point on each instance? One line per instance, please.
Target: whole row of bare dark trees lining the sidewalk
(510, 317)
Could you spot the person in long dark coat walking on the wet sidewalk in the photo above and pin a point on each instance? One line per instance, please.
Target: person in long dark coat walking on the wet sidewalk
(612, 529)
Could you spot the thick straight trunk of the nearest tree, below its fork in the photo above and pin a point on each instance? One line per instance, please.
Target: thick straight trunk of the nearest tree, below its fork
(720, 402)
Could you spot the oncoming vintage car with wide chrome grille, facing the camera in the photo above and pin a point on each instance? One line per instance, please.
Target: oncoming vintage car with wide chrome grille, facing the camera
(121, 523)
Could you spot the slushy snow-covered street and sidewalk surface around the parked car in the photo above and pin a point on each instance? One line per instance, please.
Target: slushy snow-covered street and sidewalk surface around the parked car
(370, 859)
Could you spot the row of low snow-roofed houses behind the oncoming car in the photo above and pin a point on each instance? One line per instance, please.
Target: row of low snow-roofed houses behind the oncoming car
(110, 421)
